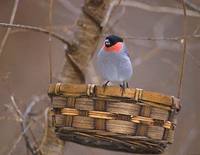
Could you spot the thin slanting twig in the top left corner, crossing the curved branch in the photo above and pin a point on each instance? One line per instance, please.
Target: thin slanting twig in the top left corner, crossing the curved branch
(9, 29)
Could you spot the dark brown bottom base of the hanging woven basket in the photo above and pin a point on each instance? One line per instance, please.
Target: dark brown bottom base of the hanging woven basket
(116, 142)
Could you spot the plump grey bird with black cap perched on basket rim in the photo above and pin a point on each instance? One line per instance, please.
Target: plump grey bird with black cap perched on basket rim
(113, 61)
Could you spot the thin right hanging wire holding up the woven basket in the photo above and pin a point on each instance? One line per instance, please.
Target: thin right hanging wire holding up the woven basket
(184, 41)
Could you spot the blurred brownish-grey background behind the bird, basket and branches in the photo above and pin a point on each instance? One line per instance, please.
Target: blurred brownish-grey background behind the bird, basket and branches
(24, 65)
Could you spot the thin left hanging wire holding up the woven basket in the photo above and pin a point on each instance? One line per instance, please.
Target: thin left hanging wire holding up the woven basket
(50, 40)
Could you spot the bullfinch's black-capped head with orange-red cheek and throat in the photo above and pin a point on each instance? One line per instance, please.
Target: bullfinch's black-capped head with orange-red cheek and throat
(113, 43)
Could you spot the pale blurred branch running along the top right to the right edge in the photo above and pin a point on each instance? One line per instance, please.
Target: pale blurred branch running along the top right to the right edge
(158, 9)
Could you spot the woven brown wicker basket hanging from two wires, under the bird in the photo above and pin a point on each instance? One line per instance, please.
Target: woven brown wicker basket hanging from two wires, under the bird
(133, 120)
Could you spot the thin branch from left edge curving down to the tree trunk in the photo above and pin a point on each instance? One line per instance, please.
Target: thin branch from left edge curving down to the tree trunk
(37, 29)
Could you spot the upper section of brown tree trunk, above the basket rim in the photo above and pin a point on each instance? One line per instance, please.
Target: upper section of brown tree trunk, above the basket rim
(87, 35)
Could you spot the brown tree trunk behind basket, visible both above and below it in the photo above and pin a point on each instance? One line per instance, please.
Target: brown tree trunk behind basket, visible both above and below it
(86, 37)
